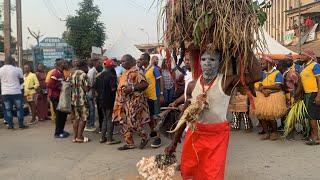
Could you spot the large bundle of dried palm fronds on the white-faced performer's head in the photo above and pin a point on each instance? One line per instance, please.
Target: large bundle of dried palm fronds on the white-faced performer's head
(231, 26)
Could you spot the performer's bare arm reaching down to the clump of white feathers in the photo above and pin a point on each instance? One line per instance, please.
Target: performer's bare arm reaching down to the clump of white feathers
(177, 136)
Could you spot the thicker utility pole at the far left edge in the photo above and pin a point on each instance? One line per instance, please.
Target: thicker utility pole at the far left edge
(7, 27)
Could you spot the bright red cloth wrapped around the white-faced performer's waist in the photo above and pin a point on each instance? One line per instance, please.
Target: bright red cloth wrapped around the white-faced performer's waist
(204, 152)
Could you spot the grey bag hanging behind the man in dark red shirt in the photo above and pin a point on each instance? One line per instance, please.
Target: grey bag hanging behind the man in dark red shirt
(65, 97)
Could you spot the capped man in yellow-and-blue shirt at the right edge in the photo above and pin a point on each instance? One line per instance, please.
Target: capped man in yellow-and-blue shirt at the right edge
(310, 78)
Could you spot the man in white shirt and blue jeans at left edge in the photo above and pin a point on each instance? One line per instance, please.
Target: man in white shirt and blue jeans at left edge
(11, 78)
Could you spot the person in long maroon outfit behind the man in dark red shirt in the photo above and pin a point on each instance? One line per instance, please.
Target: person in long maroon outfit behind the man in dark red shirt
(42, 99)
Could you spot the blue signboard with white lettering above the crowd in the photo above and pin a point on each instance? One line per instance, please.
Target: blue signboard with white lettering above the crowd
(50, 49)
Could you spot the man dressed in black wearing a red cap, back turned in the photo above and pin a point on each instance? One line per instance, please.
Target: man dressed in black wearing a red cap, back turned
(106, 87)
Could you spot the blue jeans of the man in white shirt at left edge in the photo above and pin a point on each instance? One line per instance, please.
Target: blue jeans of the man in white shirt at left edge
(9, 101)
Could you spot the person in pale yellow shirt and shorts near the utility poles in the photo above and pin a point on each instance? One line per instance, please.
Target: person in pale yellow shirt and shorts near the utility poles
(31, 84)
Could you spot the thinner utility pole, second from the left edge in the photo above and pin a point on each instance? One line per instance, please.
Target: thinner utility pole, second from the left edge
(19, 35)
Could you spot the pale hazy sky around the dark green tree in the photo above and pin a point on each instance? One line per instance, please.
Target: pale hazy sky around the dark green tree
(47, 17)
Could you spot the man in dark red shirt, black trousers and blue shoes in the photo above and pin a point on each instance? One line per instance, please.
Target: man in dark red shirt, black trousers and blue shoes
(54, 88)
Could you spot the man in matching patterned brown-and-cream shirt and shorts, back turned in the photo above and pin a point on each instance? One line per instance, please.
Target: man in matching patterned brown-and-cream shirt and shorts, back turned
(79, 89)
